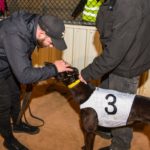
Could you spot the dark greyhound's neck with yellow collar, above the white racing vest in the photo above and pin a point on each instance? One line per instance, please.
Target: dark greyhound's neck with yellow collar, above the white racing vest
(80, 91)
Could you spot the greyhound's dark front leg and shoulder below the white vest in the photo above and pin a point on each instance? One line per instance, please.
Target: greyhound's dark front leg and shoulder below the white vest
(89, 122)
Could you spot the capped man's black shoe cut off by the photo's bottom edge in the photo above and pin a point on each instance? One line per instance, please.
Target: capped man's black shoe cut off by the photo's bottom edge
(11, 143)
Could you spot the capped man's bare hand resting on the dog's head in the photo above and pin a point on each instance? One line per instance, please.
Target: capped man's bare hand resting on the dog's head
(62, 66)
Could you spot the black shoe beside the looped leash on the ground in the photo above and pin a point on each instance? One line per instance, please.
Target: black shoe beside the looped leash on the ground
(26, 128)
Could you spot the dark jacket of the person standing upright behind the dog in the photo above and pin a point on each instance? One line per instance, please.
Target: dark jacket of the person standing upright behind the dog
(124, 27)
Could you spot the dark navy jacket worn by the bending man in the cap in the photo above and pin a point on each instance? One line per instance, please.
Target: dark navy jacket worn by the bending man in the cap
(17, 42)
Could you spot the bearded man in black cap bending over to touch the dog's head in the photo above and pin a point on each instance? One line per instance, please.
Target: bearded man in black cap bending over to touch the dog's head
(19, 35)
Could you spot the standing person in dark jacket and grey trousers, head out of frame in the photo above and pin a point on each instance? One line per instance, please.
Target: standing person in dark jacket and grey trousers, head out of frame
(125, 36)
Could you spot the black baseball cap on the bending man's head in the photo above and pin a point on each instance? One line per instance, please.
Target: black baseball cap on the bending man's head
(54, 28)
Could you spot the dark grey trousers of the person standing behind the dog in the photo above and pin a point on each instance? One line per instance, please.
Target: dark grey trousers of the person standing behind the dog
(121, 137)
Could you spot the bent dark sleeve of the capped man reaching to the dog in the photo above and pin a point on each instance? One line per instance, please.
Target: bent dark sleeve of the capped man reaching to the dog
(17, 54)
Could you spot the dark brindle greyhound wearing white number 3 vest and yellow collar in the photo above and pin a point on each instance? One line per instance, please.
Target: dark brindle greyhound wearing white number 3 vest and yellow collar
(107, 109)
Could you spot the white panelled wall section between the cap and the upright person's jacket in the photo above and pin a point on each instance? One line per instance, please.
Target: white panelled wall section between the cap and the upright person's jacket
(83, 45)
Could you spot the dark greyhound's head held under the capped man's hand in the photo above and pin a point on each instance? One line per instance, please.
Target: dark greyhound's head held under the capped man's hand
(68, 77)
